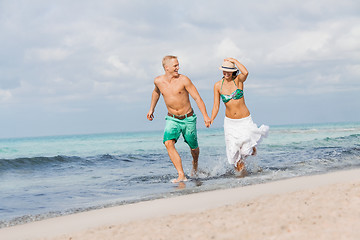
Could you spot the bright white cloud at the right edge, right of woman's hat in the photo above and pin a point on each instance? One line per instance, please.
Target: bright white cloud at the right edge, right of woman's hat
(329, 40)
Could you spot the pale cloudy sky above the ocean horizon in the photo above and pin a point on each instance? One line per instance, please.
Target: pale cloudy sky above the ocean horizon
(85, 66)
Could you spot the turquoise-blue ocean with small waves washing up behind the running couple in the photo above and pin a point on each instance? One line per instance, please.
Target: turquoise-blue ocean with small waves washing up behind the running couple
(44, 177)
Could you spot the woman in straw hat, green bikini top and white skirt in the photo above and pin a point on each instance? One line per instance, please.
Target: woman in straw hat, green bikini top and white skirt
(241, 133)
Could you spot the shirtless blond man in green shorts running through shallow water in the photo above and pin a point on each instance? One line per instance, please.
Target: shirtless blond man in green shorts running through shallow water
(181, 118)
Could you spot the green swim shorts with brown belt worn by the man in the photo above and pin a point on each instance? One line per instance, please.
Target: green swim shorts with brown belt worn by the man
(187, 126)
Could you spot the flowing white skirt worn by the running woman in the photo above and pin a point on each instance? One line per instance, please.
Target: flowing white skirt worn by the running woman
(241, 135)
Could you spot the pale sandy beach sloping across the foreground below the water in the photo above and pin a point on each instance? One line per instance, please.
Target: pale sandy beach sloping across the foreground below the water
(314, 207)
